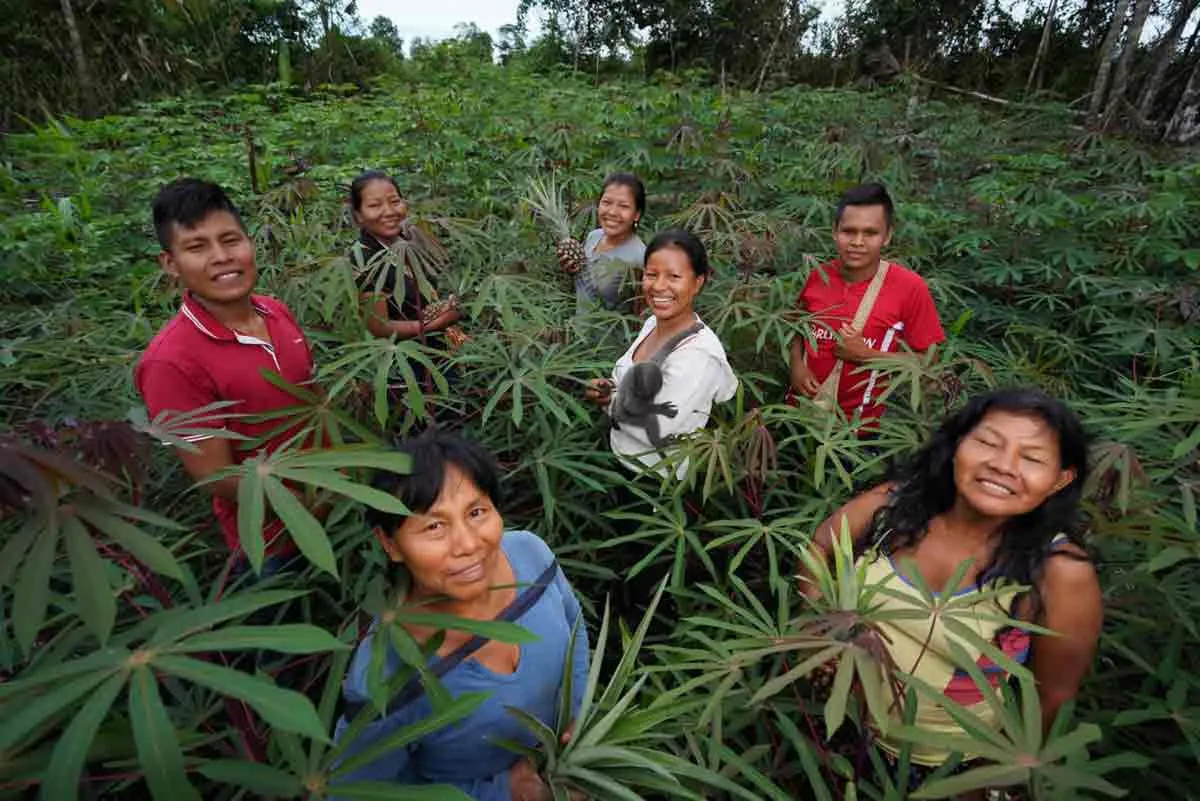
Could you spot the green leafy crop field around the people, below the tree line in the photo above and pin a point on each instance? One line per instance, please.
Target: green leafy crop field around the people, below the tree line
(1057, 258)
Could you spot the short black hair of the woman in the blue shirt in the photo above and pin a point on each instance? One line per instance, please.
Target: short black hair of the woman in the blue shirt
(431, 454)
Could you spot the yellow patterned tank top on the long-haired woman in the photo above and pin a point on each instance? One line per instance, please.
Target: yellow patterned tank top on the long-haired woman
(921, 647)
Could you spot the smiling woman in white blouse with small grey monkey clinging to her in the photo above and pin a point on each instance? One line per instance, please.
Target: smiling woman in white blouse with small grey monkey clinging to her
(695, 372)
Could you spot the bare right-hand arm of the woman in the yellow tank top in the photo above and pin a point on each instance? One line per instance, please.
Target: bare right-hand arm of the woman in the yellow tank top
(1073, 609)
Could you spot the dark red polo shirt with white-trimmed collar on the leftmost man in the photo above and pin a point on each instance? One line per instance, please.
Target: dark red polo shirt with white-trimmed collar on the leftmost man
(195, 362)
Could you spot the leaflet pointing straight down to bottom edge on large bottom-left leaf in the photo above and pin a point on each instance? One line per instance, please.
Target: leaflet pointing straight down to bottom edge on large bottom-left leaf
(159, 754)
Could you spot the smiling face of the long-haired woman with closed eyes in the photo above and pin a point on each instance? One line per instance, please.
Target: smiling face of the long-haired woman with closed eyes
(1010, 465)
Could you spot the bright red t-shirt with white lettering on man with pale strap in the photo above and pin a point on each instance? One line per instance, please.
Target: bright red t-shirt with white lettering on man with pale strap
(903, 314)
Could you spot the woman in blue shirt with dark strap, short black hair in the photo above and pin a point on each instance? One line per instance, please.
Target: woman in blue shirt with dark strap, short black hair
(461, 562)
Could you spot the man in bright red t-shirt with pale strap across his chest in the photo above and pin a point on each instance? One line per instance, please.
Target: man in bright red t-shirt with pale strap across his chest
(902, 323)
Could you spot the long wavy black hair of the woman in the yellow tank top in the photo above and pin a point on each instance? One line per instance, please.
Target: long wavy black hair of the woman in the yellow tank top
(925, 489)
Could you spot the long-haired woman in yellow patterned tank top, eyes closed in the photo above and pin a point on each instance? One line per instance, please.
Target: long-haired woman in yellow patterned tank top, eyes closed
(999, 486)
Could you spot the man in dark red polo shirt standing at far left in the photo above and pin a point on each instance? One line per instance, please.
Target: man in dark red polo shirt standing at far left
(217, 346)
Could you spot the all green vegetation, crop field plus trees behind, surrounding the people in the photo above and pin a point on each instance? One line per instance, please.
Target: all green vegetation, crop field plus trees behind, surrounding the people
(1049, 192)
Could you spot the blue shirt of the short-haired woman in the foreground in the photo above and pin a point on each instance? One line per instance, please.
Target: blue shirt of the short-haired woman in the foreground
(464, 755)
